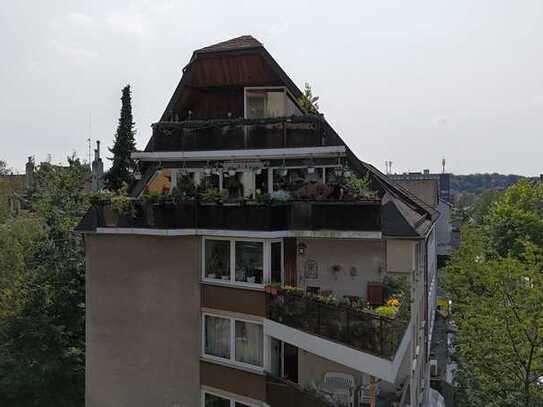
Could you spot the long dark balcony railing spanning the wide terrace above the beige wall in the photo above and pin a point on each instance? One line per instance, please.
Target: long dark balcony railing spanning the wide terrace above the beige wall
(292, 215)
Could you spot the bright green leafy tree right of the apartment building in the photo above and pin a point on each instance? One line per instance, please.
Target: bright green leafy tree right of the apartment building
(495, 280)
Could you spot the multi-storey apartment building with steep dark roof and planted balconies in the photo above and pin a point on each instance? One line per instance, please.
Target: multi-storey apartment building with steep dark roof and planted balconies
(252, 270)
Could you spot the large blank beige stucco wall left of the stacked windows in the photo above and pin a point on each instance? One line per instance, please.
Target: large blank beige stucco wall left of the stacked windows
(143, 321)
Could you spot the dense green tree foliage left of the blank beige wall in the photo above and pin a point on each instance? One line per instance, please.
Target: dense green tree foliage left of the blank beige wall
(42, 298)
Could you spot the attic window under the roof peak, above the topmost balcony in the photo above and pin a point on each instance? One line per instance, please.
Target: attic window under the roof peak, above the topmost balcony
(265, 102)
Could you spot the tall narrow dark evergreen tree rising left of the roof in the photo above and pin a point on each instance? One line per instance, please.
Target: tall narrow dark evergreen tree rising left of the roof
(123, 166)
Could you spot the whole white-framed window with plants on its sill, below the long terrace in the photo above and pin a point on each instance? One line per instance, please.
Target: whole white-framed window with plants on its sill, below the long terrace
(242, 262)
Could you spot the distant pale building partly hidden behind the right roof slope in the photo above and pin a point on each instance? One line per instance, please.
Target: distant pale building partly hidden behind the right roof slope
(434, 189)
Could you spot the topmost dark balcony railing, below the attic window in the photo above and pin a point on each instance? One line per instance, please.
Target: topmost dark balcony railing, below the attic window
(284, 132)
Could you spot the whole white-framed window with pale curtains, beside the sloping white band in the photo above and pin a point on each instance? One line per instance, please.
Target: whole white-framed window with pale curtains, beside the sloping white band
(244, 347)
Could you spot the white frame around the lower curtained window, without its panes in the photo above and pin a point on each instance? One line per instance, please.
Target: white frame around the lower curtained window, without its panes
(232, 360)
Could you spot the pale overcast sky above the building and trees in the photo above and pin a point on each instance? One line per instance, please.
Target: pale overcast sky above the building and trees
(404, 81)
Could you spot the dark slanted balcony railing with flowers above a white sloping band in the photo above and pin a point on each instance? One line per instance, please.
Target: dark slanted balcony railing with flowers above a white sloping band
(362, 330)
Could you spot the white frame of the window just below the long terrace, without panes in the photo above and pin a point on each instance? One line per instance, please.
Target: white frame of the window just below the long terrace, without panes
(266, 262)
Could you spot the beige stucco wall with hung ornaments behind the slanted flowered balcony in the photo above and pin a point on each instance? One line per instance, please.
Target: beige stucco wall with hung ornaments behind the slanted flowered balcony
(367, 256)
